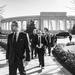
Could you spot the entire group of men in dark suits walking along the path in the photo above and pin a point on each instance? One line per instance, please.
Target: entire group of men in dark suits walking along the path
(19, 48)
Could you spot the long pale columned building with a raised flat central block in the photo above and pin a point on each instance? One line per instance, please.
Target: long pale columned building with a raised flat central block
(51, 20)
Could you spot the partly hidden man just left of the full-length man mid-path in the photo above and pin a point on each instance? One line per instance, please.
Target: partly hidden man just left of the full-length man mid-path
(33, 46)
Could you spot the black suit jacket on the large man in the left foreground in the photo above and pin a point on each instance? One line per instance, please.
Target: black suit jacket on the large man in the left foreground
(17, 50)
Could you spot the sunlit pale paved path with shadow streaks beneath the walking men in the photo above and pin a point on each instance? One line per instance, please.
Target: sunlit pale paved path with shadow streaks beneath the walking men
(52, 67)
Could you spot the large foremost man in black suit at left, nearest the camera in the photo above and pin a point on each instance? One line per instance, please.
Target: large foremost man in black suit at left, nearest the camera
(17, 50)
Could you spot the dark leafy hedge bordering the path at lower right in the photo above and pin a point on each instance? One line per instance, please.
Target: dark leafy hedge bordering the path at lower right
(67, 59)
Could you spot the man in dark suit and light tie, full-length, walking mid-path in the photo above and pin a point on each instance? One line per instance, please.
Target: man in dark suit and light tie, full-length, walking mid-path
(40, 45)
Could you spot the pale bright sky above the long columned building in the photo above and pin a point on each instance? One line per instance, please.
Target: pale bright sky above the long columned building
(15, 8)
